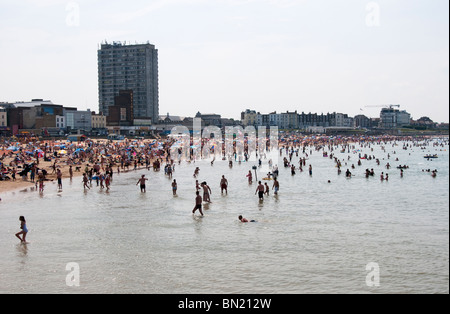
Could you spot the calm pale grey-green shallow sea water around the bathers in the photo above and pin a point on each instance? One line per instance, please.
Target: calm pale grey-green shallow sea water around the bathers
(314, 237)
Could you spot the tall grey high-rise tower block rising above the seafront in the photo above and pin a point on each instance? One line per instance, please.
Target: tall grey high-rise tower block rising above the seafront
(129, 67)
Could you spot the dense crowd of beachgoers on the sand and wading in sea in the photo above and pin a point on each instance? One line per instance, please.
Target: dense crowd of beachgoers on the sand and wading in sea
(97, 161)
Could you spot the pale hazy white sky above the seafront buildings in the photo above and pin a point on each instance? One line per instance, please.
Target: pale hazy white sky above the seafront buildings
(225, 56)
